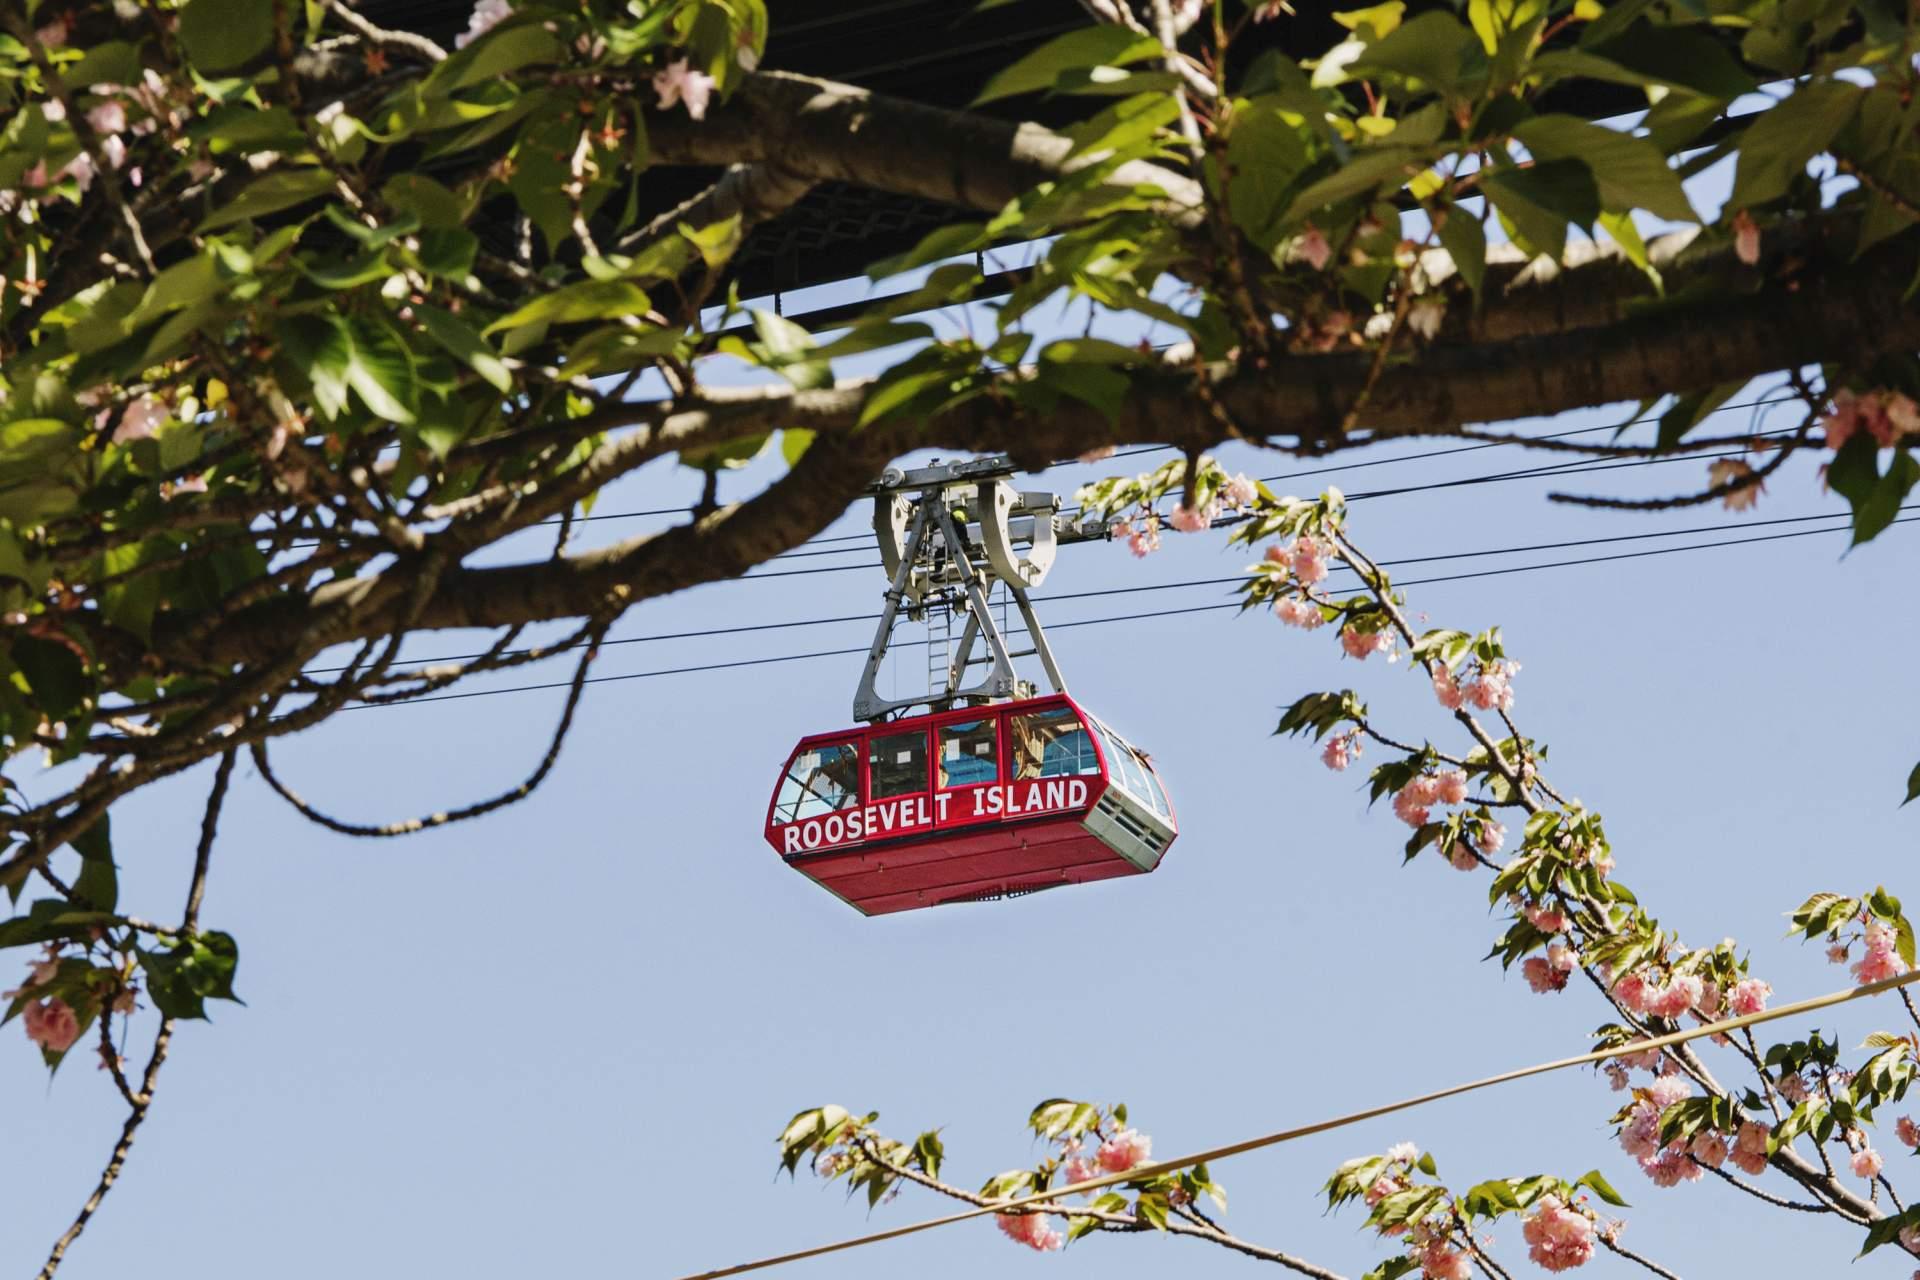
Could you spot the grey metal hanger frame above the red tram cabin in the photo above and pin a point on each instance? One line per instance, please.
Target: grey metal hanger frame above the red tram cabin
(949, 534)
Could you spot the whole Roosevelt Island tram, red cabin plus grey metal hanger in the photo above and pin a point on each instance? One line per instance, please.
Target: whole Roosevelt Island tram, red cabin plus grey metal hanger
(994, 790)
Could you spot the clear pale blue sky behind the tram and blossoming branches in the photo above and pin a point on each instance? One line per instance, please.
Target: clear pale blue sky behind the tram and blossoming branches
(565, 1039)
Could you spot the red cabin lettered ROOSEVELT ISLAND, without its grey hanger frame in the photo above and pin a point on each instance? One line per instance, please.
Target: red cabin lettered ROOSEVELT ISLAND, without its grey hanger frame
(969, 805)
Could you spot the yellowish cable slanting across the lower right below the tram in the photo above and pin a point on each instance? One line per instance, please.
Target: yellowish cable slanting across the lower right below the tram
(1320, 1127)
